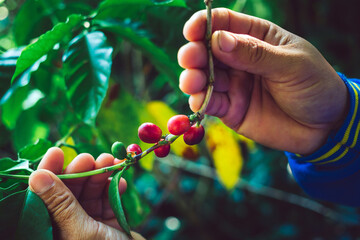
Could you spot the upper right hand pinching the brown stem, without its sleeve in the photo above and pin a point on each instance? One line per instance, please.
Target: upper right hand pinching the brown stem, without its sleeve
(270, 85)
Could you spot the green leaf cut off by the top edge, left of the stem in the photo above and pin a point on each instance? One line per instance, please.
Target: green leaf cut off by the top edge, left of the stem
(122, 9)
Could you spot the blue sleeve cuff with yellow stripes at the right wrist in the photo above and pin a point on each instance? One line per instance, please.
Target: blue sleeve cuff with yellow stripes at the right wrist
(332, 173)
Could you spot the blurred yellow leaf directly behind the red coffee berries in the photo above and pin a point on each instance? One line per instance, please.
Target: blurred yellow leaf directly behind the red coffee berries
(161, 113)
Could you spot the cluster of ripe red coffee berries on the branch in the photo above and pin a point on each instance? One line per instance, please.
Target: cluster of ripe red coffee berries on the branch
(177, 125)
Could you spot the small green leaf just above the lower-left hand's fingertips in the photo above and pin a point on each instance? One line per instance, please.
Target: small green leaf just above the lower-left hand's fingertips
(35, 151)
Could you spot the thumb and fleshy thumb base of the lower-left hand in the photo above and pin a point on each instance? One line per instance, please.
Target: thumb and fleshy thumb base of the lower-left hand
(70, 221)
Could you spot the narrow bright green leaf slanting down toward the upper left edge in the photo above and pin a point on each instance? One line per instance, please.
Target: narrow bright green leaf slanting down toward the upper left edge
(44, 44)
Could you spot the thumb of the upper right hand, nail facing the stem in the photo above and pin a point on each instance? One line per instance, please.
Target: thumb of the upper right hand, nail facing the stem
(247, 53)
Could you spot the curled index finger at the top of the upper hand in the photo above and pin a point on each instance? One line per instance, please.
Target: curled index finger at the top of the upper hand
(226, 19)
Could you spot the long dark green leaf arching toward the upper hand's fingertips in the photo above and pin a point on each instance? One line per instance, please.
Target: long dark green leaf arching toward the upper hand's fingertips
(156, 55)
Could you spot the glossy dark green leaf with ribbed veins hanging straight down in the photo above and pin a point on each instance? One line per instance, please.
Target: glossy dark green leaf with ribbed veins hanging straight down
(88, 61)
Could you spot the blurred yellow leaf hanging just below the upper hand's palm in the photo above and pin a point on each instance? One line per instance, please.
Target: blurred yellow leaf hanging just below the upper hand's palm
(226, 153)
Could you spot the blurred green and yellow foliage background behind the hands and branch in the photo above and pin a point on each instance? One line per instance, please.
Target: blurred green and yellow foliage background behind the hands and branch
(228, 187)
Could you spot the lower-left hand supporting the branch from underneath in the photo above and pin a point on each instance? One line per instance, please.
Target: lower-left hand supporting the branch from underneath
(80, 209)
